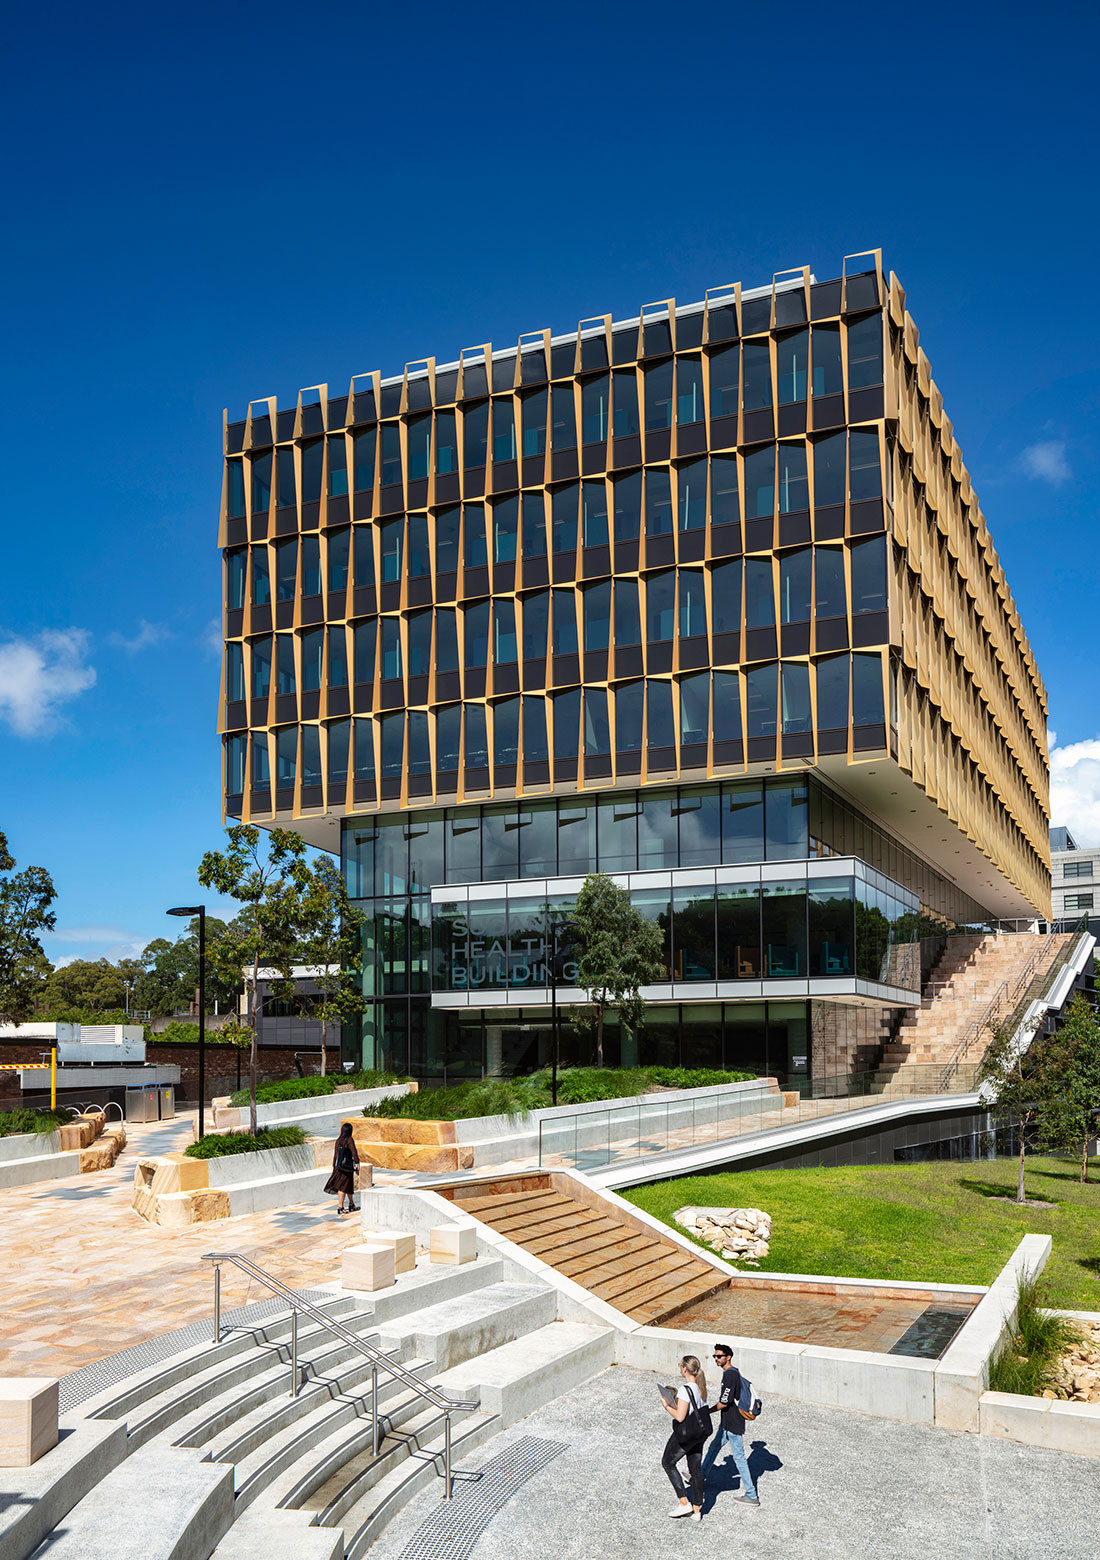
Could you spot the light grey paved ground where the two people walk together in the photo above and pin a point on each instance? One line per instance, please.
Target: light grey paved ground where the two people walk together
(834, 1486)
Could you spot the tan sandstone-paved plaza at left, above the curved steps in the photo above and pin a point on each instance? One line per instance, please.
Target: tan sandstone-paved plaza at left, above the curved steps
(83, 1277)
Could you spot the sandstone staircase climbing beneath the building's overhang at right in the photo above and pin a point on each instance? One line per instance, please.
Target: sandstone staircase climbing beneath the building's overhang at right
(976, 985)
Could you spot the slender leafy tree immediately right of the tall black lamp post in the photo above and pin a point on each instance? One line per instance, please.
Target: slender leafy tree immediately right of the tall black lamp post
(269, 927)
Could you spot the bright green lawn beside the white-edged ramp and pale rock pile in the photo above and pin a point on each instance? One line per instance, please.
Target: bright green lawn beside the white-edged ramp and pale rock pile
(937, 1222)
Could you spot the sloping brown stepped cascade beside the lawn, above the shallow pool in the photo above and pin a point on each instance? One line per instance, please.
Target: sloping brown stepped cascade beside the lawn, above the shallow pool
(634, 1269)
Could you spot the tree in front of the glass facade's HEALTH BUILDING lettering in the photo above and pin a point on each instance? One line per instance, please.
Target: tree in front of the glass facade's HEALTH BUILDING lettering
(620, 954)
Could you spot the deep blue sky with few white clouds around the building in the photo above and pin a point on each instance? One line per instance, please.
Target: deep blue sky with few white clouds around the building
(216, 204)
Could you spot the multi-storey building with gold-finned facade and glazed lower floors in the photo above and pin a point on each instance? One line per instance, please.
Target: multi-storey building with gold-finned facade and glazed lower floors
(701, 598)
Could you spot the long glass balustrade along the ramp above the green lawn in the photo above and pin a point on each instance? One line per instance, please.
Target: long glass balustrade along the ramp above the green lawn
(655, 1127)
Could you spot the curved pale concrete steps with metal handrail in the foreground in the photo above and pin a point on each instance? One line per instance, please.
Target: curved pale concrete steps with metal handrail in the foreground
(211, 1456)
